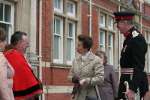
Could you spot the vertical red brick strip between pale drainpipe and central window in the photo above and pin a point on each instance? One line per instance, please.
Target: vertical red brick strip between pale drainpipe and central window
(47, 22)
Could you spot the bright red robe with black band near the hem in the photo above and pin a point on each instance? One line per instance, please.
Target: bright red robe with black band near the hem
(25, 82)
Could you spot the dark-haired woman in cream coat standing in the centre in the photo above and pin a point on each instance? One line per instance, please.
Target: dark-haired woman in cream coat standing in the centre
(87, 71)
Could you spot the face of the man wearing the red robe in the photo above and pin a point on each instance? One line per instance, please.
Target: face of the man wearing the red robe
(24, 43)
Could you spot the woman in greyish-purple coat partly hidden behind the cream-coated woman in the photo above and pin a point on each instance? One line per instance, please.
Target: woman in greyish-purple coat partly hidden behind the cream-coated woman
(108, 89)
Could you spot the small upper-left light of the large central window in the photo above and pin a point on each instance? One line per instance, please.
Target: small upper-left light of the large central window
(58, 5)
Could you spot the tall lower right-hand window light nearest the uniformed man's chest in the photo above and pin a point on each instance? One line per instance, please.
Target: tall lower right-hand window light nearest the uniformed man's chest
(110, 48)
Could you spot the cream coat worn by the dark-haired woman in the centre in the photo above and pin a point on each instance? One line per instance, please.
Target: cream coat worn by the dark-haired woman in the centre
(88, 68)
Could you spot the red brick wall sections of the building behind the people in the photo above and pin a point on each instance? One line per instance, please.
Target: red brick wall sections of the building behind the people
(53, 75)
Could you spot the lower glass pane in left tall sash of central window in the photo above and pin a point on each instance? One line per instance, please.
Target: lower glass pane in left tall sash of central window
(56, 47)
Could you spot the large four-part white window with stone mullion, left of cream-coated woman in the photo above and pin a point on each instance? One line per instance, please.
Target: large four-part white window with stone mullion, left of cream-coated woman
(64, 31)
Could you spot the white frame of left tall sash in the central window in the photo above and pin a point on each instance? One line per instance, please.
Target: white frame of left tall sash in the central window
(60, 60)
